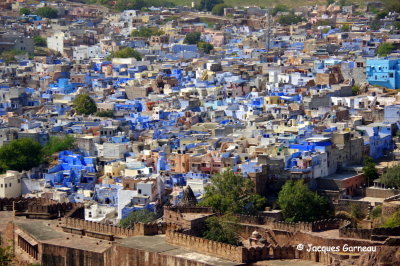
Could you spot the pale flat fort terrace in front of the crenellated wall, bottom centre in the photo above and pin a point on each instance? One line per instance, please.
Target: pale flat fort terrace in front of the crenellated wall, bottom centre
(158, 244)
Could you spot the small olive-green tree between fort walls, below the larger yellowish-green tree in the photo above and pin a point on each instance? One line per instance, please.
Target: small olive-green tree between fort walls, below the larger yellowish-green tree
(222, 229)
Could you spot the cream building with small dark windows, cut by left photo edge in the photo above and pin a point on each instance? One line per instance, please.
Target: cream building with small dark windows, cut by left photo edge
(10, 184)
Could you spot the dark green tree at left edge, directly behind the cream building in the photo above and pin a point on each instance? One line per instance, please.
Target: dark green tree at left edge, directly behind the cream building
(20, 154)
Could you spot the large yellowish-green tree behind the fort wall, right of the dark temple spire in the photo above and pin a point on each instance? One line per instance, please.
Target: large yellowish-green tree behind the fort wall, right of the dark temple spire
(232, 193)
